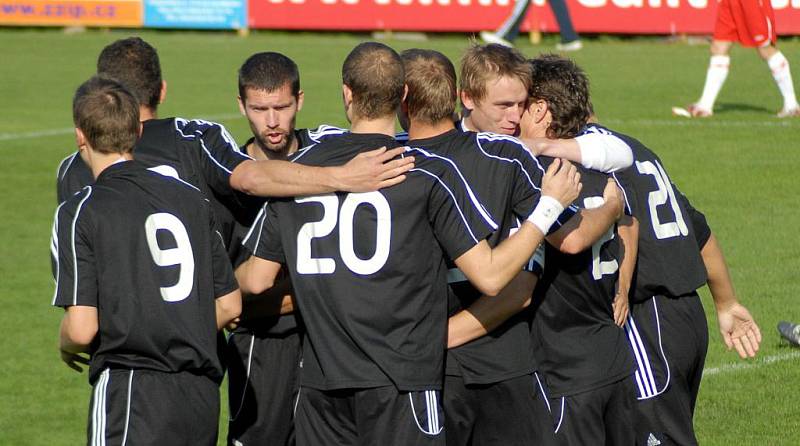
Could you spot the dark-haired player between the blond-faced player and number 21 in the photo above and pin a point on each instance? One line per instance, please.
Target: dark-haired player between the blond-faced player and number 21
(578, 306)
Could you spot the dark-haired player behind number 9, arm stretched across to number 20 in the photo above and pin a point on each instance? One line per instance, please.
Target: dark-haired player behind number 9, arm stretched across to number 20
(204, 153)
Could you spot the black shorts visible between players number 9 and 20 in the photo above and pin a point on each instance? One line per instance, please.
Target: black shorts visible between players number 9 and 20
(262, 388)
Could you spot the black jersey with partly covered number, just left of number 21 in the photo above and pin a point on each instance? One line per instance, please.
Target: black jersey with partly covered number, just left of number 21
(576, 343)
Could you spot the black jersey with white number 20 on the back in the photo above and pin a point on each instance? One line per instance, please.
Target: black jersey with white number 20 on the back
(368, 268)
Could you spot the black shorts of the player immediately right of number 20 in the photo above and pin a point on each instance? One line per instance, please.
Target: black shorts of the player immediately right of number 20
(511, 412)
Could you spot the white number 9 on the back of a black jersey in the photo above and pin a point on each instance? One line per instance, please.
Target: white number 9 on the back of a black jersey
(180, 255)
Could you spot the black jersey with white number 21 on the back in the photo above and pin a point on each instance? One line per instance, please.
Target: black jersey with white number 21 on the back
(669, 262)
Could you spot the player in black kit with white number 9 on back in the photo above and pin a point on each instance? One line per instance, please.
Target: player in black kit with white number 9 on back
(146, 284)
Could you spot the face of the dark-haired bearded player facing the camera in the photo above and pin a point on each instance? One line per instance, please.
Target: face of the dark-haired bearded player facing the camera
(272, 116)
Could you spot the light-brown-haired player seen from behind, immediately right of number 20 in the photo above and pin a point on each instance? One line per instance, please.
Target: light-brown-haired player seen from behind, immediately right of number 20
(491, 395)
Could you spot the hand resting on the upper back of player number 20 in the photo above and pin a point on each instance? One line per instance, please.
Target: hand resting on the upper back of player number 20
(373, 170)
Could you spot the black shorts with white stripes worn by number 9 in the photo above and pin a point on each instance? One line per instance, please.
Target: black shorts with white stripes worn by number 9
(143, 407)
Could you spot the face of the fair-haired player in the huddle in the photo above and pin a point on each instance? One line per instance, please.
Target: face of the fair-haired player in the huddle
(501, 109)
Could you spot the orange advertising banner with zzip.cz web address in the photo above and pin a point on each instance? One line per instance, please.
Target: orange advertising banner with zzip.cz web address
(122, 13)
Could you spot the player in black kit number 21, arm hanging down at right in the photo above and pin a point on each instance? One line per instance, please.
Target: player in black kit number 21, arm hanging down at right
(667, 328)
